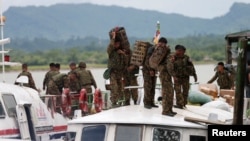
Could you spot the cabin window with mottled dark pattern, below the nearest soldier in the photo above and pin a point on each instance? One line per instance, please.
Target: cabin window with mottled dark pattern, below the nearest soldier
(163, 134)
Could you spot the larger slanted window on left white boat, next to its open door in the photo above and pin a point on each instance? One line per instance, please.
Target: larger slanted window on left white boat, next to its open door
(10, 104)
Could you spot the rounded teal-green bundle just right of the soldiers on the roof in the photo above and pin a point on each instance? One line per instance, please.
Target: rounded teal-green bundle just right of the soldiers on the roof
(197, 97)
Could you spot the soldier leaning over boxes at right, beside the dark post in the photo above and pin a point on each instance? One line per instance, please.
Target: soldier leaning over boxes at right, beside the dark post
(224, 80)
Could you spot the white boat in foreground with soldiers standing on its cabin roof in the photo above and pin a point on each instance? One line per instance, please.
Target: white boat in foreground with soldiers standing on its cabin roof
(136, 123)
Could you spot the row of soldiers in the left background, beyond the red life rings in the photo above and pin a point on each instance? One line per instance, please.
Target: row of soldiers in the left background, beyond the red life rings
(54, 81)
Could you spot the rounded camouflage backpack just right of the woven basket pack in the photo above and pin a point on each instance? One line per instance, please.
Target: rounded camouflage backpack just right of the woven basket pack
(157, 56)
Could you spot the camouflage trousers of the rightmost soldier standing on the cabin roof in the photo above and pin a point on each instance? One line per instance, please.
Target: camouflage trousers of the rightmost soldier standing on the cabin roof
(181, 88)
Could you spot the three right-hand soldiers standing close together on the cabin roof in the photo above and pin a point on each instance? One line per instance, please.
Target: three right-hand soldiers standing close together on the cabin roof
(174, 69)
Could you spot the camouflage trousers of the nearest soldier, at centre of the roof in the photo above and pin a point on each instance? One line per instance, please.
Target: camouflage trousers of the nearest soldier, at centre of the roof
(167, 92)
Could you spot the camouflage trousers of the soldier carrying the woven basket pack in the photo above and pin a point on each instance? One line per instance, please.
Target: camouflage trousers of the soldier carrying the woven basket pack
(149, 88)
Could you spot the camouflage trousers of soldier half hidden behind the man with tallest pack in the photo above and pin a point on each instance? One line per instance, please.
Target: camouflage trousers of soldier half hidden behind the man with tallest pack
(133, 92)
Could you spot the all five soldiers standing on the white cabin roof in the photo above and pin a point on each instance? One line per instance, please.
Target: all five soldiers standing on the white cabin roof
(177, 66)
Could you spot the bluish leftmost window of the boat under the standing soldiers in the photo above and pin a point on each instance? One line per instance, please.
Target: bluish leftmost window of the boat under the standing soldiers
(93, 133)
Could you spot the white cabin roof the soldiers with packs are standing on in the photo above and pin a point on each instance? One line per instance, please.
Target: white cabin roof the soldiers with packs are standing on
(137, 114)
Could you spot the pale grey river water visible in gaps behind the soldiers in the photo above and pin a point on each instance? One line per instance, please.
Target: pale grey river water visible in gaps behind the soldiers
(204, 73)
